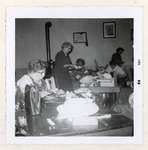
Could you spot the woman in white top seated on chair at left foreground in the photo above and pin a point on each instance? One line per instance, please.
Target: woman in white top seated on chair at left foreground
(38, 89)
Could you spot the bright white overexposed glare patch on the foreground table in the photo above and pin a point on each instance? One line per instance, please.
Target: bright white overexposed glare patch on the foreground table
(77, 111)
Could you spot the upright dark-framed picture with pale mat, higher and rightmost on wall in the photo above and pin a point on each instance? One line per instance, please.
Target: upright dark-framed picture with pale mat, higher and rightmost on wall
(109, 29)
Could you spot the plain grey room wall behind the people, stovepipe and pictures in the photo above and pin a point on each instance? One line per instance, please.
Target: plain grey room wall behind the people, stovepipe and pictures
(31, 44)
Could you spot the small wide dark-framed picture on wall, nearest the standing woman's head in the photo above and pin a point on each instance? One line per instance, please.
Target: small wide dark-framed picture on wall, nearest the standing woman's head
(80, 37)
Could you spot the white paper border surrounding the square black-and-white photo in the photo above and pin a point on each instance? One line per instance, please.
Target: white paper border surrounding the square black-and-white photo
(74, 12)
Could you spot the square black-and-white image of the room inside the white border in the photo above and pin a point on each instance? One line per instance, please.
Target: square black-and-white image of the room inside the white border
(74, 77)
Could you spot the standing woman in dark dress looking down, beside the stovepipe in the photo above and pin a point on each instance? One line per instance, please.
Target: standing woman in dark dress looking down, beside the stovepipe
(62, 62)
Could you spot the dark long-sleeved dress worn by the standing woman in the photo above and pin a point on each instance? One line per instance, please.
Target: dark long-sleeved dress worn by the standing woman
(62, 76)
